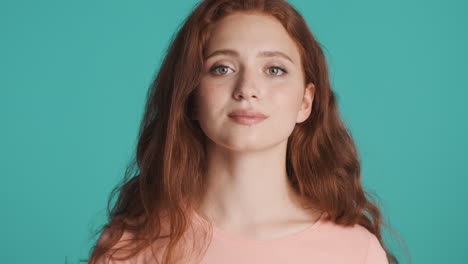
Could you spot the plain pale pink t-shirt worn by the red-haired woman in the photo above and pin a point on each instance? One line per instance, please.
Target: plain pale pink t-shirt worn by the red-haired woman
(324, 242)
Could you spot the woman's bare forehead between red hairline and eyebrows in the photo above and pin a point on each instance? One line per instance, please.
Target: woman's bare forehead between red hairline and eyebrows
(249, 33)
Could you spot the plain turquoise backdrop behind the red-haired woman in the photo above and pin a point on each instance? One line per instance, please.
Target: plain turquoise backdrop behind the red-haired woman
(73, 80)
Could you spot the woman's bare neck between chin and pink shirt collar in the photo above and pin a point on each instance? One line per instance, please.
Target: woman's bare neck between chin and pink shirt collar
(248, 187)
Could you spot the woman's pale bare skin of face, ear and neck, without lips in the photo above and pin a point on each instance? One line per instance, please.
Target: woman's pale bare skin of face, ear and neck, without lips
(248, 193)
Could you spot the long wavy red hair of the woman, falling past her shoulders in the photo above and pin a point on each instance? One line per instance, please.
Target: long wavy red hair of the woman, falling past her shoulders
(166, 178)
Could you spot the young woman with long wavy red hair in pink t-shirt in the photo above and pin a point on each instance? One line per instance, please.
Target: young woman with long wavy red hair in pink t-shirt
(242, 155)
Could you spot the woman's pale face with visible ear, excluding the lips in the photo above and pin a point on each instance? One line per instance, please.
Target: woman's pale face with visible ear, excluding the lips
(251, 63)
